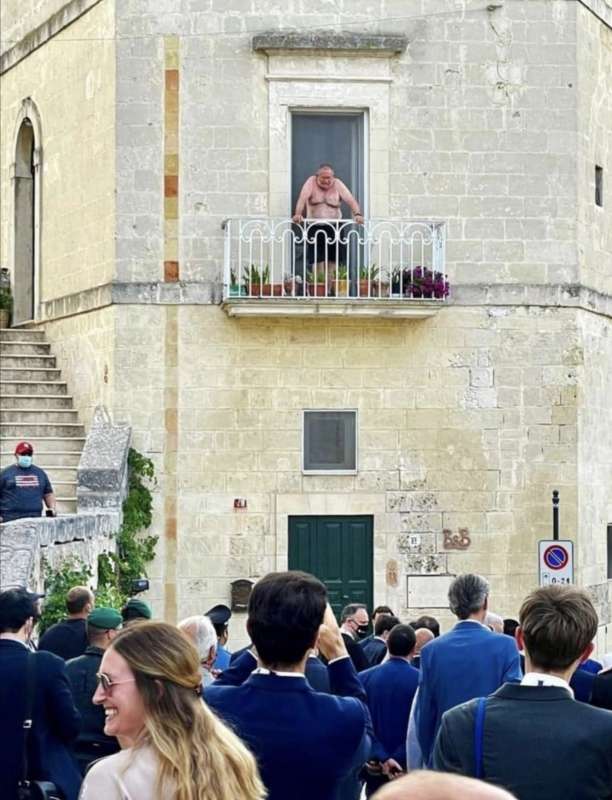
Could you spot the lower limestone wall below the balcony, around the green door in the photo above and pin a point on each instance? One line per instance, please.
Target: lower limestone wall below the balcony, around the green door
(466, 421)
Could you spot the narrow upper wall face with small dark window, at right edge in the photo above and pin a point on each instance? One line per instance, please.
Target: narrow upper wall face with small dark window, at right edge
(594, 54)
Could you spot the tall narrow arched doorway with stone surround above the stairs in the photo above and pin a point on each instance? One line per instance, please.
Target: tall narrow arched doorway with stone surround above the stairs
(26, 185)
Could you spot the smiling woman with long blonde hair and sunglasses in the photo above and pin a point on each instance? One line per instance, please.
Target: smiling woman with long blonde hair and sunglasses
(174, 747)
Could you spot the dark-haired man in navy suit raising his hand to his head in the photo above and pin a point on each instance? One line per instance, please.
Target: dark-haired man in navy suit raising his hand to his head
(307, 744)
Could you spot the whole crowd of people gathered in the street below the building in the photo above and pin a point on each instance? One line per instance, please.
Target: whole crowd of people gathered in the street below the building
(114, 705)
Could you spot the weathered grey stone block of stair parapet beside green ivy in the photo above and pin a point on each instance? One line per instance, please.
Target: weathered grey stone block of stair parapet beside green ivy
(102, 475)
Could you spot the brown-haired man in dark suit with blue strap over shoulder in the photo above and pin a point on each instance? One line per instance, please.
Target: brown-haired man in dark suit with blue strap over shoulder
(535, 739)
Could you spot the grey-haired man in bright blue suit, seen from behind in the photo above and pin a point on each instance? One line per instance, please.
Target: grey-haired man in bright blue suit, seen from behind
(468, 661)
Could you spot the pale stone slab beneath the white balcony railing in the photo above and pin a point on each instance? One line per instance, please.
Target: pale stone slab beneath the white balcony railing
(313, 307)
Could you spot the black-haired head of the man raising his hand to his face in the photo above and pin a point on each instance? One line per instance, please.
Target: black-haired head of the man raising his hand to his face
(285, 612)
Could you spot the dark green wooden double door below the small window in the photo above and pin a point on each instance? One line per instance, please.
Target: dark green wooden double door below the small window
(339, 551)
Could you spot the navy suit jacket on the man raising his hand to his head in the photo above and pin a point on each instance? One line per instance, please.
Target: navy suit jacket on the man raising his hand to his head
(305, 742)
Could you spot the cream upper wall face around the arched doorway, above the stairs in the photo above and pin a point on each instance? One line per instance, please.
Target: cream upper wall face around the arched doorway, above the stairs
(71, 79)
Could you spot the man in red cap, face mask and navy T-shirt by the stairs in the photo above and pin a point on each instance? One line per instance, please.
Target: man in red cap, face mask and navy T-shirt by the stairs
(24, 487)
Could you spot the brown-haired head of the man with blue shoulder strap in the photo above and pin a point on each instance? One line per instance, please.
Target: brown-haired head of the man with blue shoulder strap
(557, 626)
